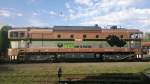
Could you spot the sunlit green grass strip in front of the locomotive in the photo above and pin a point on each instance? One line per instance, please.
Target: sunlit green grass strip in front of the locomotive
(46, 73)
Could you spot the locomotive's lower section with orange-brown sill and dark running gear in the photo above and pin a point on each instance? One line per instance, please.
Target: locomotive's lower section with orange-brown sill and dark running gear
(73, 54)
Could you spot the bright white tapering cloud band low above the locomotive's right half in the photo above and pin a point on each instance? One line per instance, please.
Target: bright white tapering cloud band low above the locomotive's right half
(131, 14)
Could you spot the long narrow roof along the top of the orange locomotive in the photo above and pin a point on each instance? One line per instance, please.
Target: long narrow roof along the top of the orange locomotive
(77, 28)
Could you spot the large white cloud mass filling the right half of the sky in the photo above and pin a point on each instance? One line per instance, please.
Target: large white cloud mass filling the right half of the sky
(110, 12)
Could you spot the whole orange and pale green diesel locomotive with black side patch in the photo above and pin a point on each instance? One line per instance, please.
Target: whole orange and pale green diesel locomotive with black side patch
(74, 43)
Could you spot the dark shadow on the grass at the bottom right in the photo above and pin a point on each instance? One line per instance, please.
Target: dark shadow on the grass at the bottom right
(109, 78)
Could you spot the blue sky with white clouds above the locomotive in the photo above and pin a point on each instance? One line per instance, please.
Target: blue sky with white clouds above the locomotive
(45, 13)
